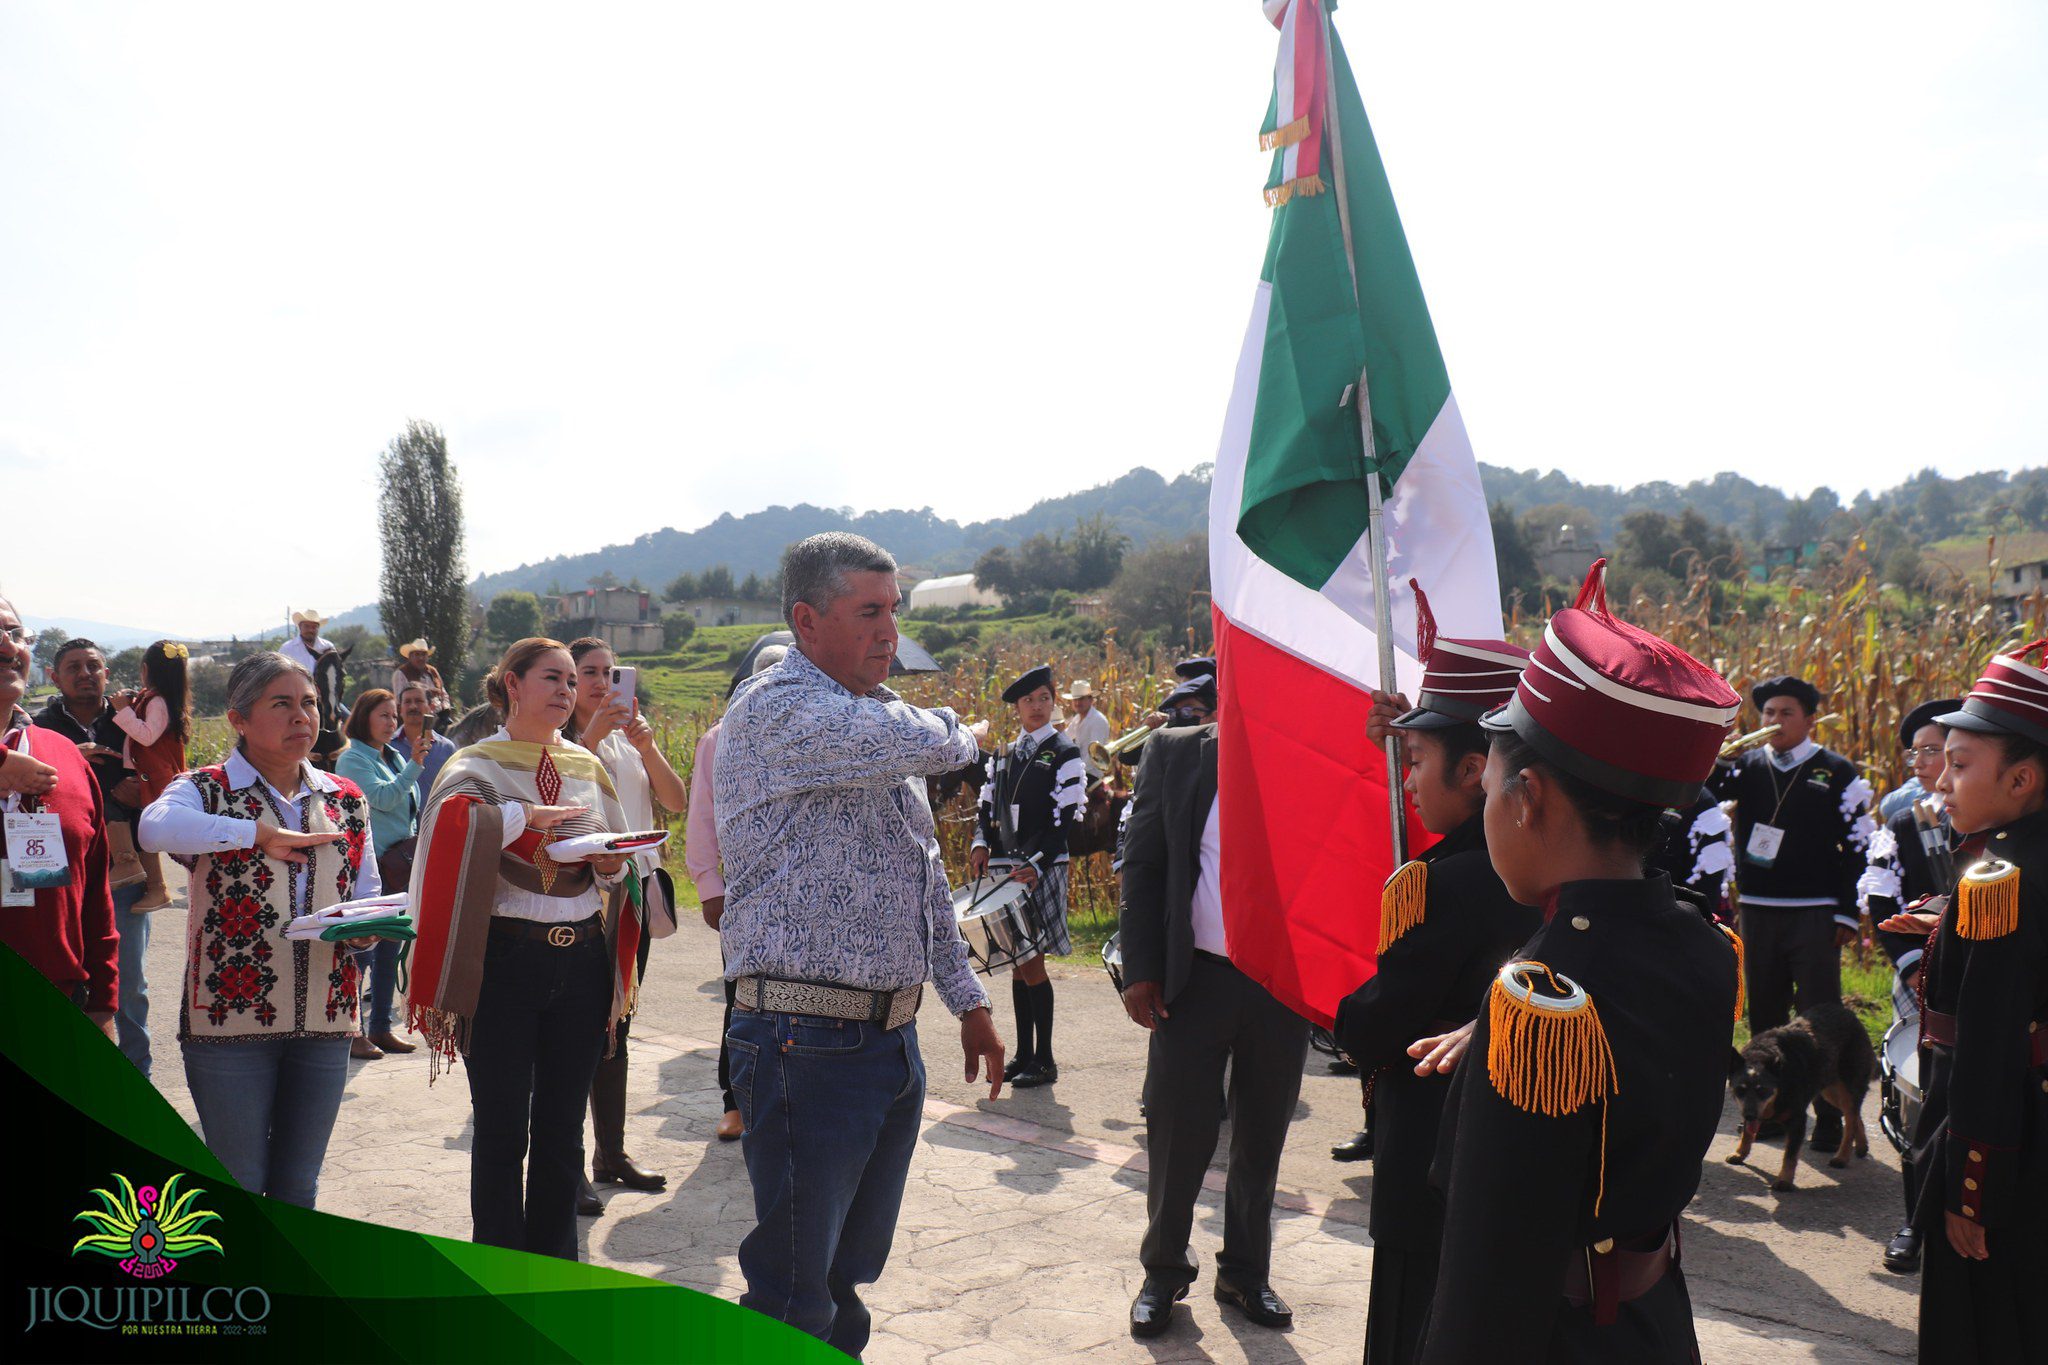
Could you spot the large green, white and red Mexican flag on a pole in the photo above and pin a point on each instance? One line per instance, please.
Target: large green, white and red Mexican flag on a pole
(1306, 797)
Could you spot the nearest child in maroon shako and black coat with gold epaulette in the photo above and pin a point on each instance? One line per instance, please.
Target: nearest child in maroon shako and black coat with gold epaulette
(1598, 1065)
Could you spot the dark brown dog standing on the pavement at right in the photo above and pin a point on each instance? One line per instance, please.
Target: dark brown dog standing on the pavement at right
(1826, 1053)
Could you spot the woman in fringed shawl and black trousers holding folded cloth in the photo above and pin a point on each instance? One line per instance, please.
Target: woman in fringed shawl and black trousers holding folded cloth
(523, 965)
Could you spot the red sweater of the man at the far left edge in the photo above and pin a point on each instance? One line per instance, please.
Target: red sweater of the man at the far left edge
(71, 934)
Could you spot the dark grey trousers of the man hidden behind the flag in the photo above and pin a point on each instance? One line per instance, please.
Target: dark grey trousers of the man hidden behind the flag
(1220, 1018)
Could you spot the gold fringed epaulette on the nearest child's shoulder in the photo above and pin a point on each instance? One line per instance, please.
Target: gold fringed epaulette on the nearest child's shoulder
(1549, 1055)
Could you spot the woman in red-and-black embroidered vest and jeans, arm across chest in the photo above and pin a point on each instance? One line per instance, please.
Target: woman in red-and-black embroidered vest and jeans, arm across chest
(267, 1020)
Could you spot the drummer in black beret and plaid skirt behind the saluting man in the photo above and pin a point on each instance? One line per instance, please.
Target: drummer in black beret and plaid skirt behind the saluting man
(1031, 805)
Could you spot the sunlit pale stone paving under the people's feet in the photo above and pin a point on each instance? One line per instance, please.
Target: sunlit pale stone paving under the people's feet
(1023, 1217)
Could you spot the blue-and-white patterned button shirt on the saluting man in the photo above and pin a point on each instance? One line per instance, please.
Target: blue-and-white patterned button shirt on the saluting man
(833, 865)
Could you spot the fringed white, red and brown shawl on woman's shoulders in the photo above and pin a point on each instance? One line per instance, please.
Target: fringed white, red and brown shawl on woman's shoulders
(464, 861)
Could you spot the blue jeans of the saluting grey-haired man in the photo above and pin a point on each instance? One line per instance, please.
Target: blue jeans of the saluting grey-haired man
(833, 1112)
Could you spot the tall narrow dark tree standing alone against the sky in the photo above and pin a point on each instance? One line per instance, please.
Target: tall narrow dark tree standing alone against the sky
(421, 511)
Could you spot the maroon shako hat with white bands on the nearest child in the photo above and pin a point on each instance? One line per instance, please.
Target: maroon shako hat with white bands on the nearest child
(1619, 707)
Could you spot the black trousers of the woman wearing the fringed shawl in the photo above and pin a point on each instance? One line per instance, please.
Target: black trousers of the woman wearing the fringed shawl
(534, 1051)
